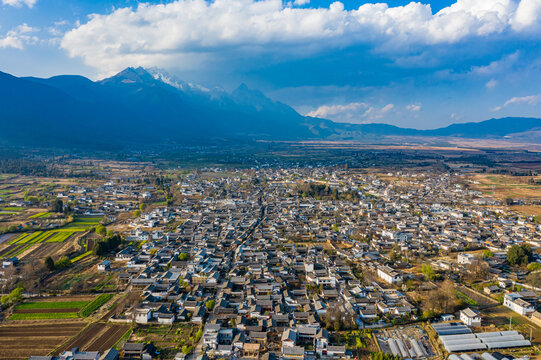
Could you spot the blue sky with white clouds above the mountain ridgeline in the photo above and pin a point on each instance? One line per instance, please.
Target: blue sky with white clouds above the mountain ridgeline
(411, 64)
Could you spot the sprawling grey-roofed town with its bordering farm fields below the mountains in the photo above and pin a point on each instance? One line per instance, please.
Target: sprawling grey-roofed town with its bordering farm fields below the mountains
(270, 263)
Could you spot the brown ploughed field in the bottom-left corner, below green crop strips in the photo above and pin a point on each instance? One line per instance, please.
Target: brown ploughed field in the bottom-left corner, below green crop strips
(18, 341)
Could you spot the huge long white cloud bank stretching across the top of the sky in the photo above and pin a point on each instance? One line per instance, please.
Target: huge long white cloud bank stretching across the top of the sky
(184, 32)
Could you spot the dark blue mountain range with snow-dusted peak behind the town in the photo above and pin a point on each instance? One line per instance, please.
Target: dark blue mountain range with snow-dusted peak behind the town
(149, 106)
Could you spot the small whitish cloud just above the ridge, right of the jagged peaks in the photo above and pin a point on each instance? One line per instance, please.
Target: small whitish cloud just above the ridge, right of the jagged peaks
(356, 112)
